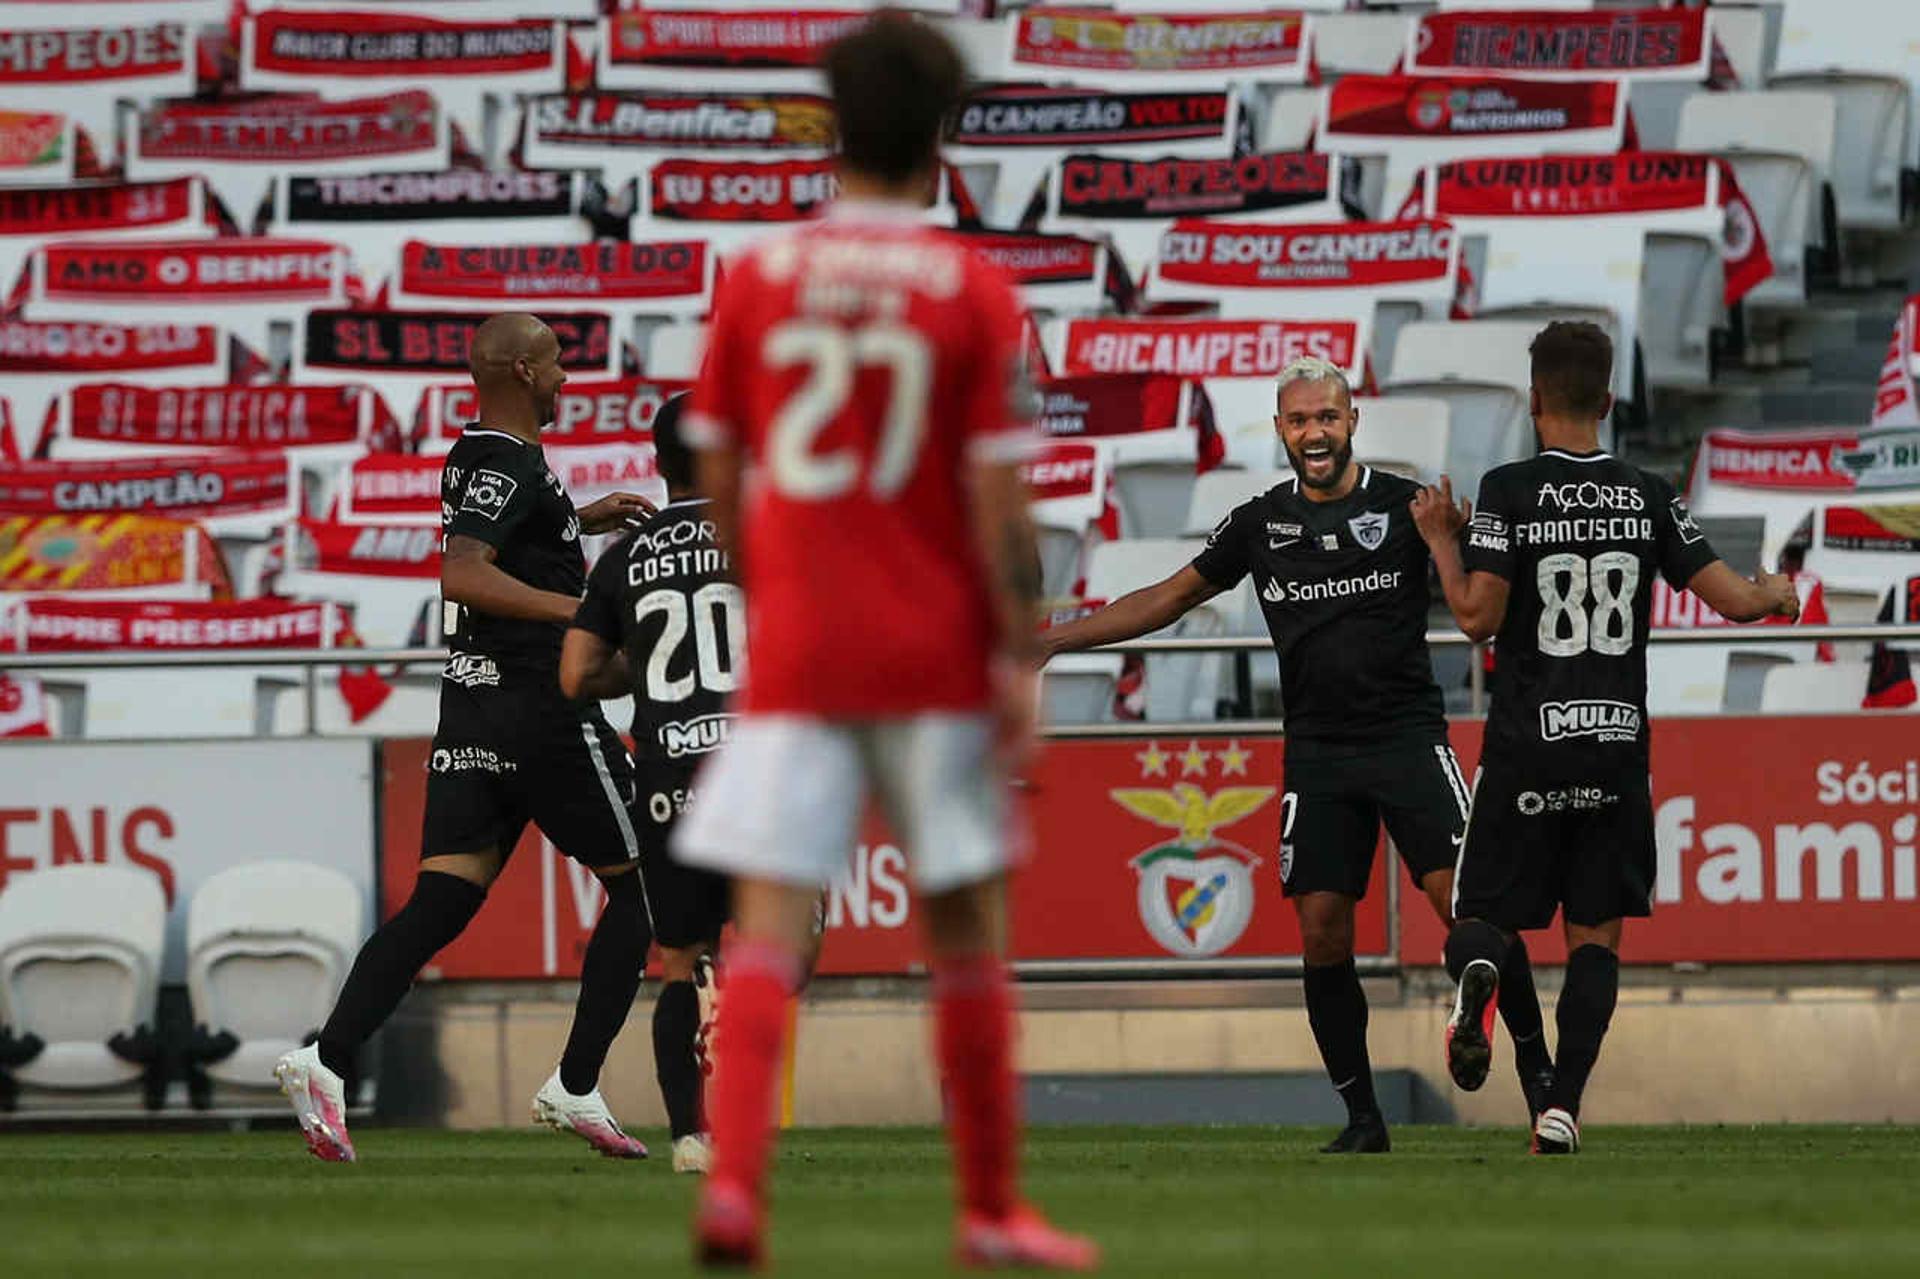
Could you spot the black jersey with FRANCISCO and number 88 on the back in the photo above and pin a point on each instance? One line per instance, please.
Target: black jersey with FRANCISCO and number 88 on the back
(1579, 537)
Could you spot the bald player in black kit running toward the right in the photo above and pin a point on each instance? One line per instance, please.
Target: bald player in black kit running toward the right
(510, 750)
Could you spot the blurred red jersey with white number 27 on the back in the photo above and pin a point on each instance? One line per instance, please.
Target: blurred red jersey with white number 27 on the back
(863, 364)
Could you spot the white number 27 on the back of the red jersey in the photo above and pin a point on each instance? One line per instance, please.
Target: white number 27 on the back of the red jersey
(832, 358)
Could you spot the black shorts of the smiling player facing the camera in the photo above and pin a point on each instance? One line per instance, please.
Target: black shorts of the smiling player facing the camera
(1335, 806)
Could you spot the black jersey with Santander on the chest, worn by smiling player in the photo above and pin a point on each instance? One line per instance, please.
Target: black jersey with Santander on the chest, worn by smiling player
(1345, 592)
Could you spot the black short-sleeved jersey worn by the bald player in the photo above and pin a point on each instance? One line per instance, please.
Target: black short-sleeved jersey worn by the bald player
(498, 489)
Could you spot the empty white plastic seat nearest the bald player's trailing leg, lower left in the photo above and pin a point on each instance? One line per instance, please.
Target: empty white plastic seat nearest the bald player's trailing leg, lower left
(268, 948)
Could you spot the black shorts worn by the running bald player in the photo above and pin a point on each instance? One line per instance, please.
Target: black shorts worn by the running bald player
(506, 758)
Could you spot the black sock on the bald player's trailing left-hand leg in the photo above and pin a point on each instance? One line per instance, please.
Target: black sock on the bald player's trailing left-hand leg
(439, 911)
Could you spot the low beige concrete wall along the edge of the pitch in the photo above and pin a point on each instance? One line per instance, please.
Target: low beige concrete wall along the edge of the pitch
(1691, 1051)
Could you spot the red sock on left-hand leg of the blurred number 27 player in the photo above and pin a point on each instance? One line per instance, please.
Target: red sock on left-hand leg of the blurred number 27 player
(748, 1044)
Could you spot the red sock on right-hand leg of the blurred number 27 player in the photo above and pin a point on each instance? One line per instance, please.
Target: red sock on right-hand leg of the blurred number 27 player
(974, 1040)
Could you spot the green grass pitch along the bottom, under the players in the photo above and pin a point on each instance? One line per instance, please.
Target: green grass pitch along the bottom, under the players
(873, 1205)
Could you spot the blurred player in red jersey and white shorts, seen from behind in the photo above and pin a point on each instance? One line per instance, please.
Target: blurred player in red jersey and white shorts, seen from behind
(861, 418)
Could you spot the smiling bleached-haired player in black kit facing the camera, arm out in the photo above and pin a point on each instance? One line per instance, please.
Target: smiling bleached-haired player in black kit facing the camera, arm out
(1341, 575)
